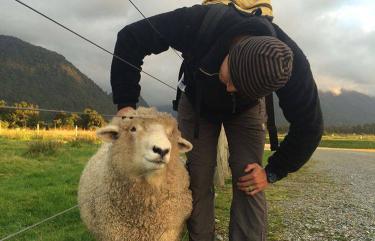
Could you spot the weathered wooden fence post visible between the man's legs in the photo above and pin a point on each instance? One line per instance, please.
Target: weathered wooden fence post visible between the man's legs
(222, 168)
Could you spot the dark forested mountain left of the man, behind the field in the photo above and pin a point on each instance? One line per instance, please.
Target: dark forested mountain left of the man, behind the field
(43, 77)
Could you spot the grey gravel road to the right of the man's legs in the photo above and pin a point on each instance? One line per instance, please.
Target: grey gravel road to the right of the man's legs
(331, 198)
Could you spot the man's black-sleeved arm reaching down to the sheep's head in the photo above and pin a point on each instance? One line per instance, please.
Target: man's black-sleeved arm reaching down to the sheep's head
(139, 39)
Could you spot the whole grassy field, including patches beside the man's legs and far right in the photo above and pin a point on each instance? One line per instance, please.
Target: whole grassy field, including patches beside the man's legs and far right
(39, 176)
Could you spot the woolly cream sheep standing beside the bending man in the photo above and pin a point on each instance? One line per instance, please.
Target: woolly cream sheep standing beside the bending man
(135, 188)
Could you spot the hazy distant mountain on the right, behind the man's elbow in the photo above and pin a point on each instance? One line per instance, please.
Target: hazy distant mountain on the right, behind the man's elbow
(343, 108)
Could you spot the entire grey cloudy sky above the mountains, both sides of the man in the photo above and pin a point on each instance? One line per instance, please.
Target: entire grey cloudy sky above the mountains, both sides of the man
(338, 36)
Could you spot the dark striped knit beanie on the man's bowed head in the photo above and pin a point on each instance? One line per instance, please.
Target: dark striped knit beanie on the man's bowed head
(259, 65)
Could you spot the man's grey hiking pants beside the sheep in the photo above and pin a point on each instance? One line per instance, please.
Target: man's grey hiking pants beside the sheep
(246, 139)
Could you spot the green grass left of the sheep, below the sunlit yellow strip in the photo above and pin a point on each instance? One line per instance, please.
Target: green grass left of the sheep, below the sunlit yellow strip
(38, 185)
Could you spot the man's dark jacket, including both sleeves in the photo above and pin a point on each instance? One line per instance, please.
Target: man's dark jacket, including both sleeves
(298, 99)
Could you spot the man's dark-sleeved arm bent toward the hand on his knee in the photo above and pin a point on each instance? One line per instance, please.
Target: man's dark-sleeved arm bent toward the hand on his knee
(300, 104)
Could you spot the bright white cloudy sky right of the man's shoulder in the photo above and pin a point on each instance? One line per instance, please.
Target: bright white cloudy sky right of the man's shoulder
(337, 37)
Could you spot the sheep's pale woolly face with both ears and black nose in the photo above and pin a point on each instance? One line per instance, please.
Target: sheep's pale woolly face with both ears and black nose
(143, 145)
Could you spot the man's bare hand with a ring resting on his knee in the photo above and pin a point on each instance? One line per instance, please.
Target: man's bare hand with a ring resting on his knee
(254, 181)
